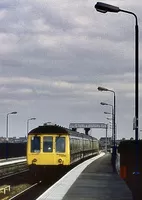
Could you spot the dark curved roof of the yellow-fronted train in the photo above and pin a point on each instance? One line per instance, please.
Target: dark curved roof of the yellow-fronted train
(55, 129)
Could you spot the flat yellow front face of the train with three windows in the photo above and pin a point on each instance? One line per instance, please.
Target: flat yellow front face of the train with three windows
(48, 149)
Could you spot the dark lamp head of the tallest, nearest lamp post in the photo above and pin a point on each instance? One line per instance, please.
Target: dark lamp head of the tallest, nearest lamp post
(103, 7)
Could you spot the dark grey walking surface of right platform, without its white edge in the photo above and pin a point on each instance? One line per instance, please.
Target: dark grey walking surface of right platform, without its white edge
(99, 182)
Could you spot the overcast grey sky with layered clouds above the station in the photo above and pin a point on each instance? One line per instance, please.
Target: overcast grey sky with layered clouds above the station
(53, 56)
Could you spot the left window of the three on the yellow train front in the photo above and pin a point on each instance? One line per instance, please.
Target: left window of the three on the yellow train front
(35, 144)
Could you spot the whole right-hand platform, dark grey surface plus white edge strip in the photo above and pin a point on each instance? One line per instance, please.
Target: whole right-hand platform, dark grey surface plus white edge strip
(96, 181)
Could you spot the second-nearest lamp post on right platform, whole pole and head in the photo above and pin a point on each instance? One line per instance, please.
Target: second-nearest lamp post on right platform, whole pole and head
(114, 130)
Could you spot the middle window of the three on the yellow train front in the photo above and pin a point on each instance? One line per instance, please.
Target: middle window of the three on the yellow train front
(47, 144)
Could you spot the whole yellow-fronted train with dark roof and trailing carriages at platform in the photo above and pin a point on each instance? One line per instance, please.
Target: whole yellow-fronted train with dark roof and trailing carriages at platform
(50, 147)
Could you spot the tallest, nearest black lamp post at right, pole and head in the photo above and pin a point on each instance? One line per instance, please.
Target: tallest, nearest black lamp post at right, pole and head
(102, 7)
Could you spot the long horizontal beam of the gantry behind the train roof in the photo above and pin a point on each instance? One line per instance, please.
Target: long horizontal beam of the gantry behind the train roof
(88, 125)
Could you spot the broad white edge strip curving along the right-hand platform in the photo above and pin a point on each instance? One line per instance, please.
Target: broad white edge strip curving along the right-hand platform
(60, 188)
